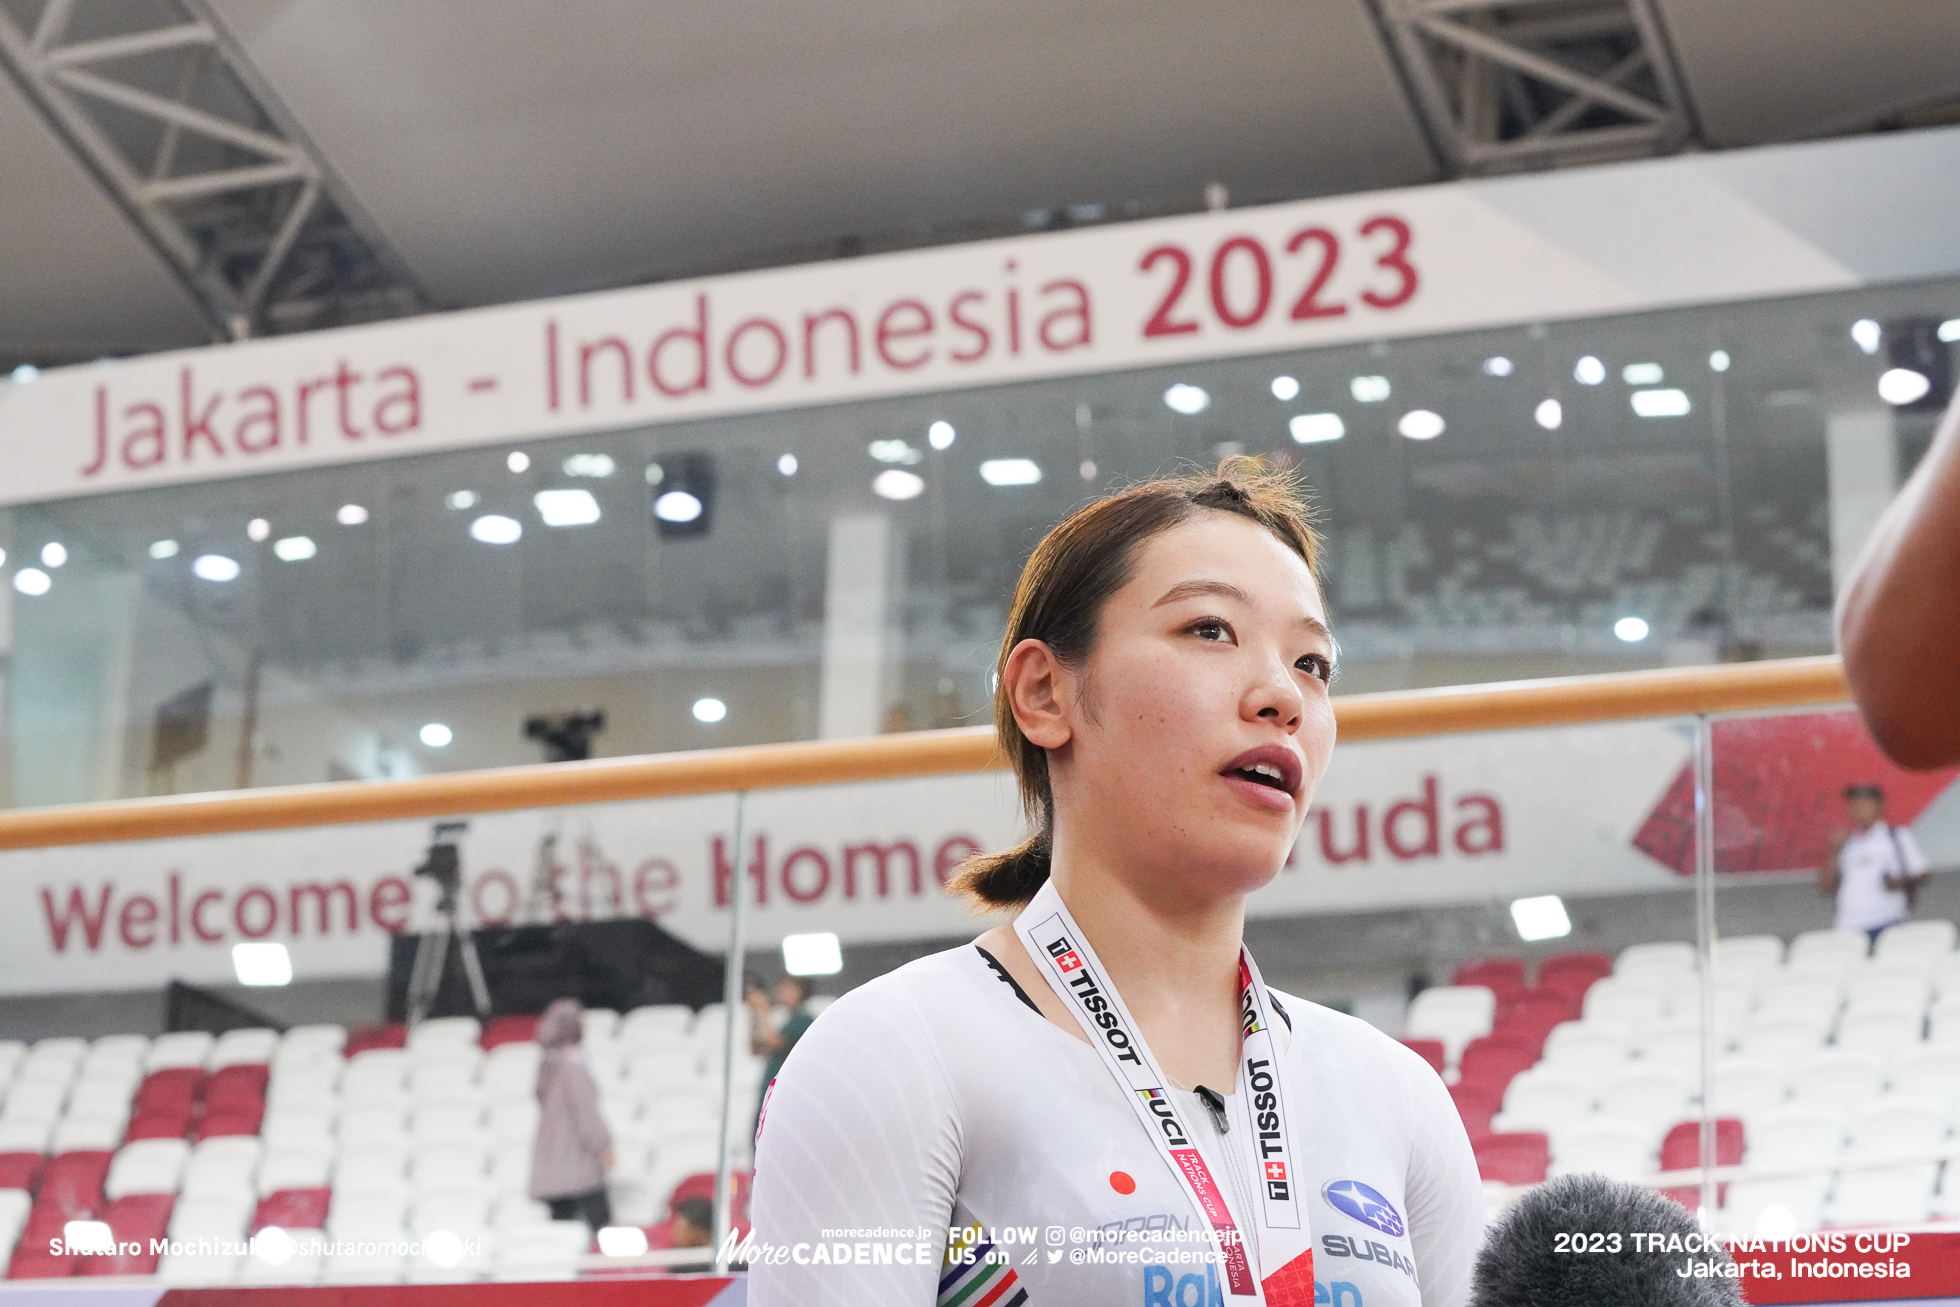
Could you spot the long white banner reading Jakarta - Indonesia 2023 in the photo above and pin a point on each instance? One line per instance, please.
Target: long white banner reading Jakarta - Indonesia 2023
(1122, 297)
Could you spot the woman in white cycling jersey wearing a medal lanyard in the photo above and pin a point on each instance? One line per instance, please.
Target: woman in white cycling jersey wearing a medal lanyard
(1101, 1102)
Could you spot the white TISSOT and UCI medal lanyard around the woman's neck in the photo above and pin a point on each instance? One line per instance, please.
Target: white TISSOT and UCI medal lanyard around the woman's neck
(1285, 1243)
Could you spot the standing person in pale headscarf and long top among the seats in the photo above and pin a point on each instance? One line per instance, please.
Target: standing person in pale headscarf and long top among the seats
(573, 1147)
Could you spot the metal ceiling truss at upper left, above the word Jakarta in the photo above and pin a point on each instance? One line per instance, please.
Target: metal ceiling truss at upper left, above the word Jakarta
(173, 122)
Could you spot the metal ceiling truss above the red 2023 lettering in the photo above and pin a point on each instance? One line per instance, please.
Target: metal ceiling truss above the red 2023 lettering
(1514, 85)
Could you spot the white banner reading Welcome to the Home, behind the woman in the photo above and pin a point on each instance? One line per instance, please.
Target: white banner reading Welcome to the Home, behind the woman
(1396, 824)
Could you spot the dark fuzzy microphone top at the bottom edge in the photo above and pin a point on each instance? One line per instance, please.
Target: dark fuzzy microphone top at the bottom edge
(1589, 1241)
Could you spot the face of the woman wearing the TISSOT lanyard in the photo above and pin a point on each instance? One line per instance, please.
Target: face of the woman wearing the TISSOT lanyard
(1200, 722)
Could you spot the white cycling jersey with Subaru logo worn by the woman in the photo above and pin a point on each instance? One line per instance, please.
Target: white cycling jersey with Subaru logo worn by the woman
(940, 1100)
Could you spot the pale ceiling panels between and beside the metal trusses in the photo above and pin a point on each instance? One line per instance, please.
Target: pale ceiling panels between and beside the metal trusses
(532, 150)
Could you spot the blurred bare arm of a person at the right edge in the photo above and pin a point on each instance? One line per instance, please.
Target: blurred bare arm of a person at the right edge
(1900, 616)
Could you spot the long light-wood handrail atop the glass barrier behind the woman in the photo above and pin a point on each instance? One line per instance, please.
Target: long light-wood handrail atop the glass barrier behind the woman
(1404, 714)
